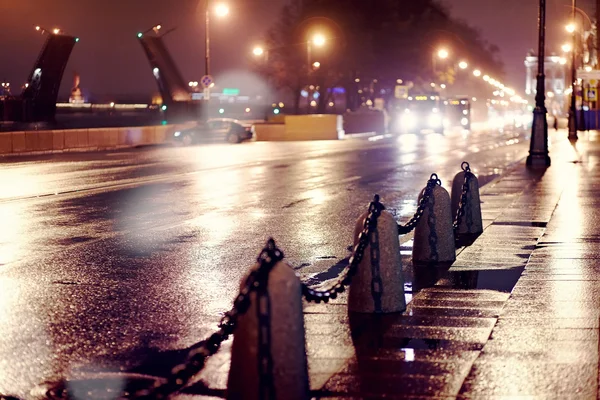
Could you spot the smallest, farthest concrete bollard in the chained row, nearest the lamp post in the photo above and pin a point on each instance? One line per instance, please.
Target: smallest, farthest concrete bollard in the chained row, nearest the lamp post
(469, 224)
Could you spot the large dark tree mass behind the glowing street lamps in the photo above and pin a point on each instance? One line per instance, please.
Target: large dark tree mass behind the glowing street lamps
(374, 42)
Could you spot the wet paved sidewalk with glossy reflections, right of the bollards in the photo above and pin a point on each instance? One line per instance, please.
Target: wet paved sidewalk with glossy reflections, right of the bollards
(469, 336)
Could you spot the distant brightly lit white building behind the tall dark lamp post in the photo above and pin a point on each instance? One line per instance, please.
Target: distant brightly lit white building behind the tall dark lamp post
(555, 68)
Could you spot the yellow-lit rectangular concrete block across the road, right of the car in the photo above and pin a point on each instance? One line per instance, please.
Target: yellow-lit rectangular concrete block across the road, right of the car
(314, 127)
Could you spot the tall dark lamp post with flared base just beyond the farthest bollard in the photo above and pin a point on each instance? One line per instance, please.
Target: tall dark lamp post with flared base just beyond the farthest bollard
(538, 147)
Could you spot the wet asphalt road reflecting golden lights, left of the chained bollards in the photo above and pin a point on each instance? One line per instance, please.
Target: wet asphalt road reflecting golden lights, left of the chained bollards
(108, 257)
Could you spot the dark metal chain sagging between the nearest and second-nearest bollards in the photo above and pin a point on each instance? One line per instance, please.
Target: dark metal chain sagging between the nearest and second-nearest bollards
(369, 226)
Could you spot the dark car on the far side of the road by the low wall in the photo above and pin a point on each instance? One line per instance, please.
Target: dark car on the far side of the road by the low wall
(214, 130)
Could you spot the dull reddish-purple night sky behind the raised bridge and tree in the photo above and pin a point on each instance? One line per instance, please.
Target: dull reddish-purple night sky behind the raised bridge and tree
(111, 61)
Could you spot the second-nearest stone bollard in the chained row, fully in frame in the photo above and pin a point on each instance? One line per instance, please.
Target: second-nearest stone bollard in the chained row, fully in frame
(378, 286)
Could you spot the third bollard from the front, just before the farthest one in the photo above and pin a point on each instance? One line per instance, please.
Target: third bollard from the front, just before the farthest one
(434, 234)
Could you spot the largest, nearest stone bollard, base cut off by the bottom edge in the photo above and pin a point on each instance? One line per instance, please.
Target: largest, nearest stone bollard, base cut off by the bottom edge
(268, 355)
